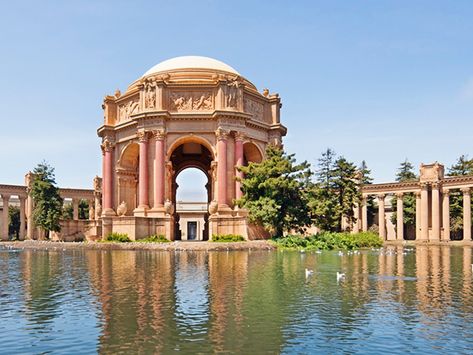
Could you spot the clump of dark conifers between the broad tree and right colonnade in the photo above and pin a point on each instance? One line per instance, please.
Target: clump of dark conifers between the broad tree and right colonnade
(335, 192)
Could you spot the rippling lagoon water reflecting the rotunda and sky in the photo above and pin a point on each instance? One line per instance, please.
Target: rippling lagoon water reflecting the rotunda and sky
(396, 300)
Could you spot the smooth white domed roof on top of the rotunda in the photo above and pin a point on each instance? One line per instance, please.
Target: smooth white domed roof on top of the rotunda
(190, 62)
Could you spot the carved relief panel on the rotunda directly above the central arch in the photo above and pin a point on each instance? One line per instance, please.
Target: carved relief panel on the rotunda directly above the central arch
(191, 101)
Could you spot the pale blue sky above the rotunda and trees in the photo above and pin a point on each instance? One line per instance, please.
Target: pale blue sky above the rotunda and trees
(379, 81)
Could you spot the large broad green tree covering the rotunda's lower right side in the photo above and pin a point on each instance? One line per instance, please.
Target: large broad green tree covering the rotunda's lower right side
(275, 192)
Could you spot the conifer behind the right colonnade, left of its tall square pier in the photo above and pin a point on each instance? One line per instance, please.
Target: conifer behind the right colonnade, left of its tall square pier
(405, 173)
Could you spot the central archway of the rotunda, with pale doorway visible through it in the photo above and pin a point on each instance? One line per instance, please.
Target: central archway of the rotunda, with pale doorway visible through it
(191, 217)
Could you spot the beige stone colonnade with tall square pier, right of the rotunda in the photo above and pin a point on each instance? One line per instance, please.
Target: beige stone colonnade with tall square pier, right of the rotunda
(432, 192)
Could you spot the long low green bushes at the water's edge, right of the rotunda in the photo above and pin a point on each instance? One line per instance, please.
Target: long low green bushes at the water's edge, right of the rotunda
(329, 241)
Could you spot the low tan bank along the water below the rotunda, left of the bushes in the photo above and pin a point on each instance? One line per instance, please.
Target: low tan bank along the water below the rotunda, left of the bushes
(252, 245)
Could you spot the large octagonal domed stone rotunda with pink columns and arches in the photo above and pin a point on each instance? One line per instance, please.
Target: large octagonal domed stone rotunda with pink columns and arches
(184, 112)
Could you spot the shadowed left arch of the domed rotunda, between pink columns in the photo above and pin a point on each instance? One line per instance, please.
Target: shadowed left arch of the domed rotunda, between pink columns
(127, 176)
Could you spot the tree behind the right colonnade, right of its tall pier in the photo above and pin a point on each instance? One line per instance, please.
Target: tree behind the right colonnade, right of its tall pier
(463, 166)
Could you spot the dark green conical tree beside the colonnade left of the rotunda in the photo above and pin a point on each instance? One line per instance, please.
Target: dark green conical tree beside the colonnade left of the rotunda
(47, 201)
